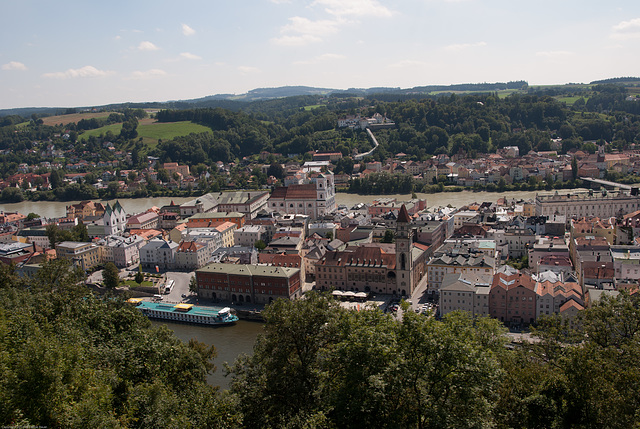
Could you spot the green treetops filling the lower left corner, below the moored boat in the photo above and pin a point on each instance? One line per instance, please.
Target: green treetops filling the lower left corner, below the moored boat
(70, 359)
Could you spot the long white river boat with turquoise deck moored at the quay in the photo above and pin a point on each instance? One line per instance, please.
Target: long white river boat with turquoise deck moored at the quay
(186, 313)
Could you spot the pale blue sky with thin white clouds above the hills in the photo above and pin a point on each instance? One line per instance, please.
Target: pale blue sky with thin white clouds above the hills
(74, 53)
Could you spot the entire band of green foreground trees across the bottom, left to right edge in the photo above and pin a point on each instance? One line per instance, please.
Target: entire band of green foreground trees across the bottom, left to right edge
(70, 358)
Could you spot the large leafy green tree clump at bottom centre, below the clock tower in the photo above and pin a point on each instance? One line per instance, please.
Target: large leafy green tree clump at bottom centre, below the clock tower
(359, 369)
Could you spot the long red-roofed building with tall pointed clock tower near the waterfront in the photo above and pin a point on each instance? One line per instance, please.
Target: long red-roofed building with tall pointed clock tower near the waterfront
(385, 268)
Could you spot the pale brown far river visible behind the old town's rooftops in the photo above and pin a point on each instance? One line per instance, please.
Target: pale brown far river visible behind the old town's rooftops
(56, 209)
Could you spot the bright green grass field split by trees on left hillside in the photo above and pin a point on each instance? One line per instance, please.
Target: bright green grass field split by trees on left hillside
(151, 131)
